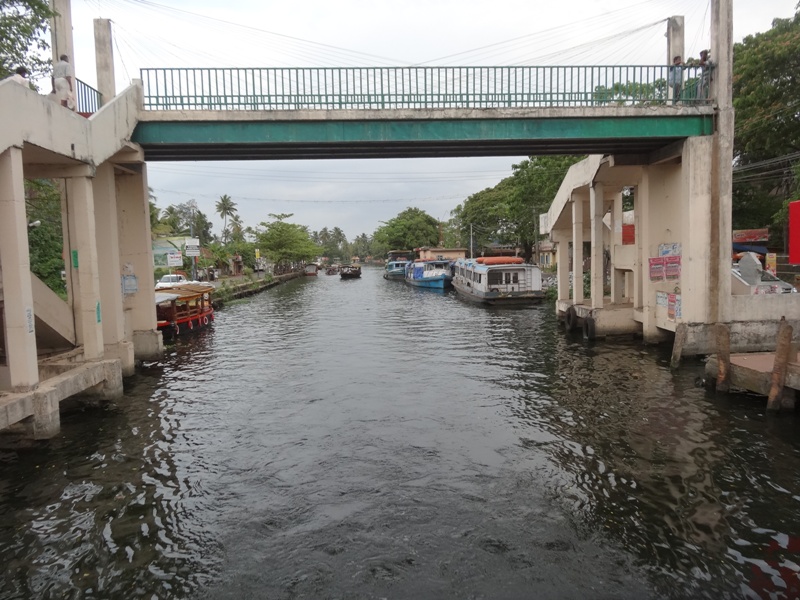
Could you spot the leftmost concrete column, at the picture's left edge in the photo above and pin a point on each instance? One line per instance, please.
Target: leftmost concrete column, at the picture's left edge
(21, 373)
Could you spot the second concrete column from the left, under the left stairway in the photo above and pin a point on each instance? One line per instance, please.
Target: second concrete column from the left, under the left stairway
(88, 311)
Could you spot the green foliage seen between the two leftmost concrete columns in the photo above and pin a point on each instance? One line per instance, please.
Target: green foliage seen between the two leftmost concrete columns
(45, 242)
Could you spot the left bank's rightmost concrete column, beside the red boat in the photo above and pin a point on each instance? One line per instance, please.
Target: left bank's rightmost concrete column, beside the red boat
(136, 257)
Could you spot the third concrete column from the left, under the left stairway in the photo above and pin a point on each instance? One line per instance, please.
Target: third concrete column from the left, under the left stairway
(105, 202)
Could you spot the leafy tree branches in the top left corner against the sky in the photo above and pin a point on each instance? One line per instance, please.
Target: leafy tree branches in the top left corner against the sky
(22, 41)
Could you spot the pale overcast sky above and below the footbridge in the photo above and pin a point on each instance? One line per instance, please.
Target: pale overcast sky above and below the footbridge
(357, 195)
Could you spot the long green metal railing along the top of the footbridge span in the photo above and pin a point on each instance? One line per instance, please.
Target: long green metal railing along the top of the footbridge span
(419, 87)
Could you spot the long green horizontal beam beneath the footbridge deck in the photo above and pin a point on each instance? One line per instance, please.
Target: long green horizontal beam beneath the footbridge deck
(386, 138)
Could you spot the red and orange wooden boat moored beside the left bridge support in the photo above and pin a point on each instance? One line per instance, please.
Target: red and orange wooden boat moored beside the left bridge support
(184, 309)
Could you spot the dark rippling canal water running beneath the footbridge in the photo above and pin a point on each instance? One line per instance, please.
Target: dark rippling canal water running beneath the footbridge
(366, 439)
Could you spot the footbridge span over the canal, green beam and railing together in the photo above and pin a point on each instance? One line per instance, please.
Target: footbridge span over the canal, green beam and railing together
(390, 112)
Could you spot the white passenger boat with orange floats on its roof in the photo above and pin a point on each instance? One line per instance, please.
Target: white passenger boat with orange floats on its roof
(498, 281)
